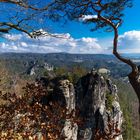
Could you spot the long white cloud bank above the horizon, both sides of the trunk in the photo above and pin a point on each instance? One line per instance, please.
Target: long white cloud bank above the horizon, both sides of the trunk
(129, 42)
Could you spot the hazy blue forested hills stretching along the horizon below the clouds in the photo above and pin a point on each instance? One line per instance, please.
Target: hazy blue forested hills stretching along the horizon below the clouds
(20, 62)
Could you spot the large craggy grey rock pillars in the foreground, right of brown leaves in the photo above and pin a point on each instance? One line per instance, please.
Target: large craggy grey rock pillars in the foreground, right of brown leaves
(97, 102)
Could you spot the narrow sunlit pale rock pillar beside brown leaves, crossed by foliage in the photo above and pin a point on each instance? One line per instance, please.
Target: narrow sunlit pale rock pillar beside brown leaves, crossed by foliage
(70, 129)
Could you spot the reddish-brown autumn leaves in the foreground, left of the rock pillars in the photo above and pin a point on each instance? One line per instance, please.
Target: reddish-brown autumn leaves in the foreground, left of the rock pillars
(29, 117)
